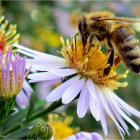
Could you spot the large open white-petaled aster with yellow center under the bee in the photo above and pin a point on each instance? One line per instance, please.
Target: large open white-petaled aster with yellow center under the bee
(82, 73)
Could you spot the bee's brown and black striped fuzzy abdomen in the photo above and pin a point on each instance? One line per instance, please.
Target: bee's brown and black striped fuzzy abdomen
(128, 46)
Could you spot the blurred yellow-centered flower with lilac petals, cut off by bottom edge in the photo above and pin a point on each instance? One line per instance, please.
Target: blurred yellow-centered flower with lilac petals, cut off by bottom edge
(62, 130)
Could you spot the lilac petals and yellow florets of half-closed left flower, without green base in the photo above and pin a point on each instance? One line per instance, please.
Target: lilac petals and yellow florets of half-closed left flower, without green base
(12, 74)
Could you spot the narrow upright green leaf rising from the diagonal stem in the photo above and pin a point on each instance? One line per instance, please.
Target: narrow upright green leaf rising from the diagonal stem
(33, 99)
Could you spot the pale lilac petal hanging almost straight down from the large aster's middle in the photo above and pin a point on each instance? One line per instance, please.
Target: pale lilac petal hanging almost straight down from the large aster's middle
(83, 102)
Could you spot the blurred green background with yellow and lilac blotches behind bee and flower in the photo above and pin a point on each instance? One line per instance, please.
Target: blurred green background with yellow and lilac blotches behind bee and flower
(42, 23)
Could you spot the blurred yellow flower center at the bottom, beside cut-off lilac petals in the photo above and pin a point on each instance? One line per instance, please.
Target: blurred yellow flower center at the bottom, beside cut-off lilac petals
(60, 126)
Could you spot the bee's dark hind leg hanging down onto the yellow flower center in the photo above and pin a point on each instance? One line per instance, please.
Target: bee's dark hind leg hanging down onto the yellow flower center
(110, 60)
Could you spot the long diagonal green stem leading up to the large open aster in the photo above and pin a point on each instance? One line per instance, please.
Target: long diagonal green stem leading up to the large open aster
(52, 107)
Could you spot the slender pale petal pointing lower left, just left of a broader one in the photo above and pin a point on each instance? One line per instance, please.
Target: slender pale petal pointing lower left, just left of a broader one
(57, 92)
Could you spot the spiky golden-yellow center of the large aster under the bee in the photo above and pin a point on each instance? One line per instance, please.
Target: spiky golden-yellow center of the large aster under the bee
(91, 62)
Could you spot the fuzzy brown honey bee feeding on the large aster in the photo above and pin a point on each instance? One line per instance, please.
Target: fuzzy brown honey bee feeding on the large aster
(115, 33)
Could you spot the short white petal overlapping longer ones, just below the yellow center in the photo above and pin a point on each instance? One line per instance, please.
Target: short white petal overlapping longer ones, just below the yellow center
(92, 90)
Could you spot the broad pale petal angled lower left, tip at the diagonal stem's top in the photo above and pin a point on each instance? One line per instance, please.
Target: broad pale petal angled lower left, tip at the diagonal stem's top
(72, 91)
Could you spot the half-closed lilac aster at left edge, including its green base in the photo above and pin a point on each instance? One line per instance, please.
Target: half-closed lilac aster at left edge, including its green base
(12, 75)
